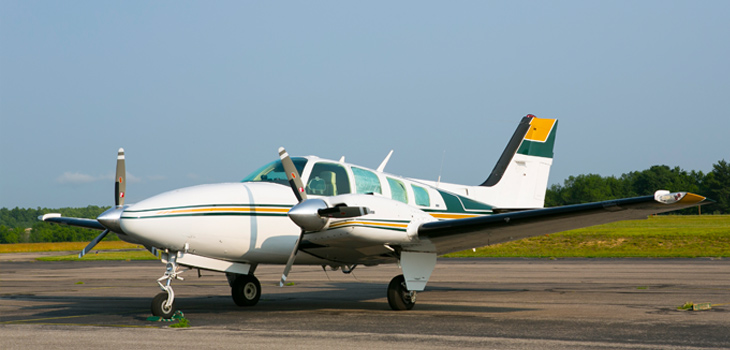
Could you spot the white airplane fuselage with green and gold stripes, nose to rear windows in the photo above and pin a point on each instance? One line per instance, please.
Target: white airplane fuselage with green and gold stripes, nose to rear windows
(247, 222)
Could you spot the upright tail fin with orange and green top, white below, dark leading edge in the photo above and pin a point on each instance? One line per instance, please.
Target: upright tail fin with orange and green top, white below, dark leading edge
(519, 179)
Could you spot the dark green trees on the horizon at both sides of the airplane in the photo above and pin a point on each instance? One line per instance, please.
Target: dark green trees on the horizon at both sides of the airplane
(22, 225)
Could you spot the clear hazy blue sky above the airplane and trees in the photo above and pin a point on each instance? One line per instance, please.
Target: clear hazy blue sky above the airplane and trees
(205, 92)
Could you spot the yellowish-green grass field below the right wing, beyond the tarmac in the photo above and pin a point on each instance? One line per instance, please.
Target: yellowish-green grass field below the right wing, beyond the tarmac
(656, 237)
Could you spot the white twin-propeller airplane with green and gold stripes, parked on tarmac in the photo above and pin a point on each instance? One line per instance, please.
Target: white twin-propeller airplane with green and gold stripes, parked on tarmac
(312, 211)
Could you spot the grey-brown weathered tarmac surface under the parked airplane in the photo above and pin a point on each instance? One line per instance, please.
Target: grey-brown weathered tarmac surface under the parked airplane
(469, 303)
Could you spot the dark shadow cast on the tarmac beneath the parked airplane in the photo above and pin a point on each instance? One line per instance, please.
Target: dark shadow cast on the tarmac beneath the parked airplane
(332, 298)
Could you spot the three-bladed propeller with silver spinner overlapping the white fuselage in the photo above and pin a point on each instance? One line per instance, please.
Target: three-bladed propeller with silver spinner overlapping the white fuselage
(309, 214)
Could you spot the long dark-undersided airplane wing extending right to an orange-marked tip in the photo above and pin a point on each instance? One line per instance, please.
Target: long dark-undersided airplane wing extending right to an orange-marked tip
(455, 235)
